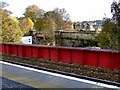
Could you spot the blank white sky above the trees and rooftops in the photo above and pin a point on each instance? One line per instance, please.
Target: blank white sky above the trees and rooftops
(79, 10)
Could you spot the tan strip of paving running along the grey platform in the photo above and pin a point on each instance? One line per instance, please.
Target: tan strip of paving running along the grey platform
(27, 81)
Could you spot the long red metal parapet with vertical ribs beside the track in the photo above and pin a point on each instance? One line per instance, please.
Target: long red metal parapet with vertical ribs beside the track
(84, 56)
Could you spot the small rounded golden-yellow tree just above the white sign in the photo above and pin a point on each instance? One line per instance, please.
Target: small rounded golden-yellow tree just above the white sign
(26, 25)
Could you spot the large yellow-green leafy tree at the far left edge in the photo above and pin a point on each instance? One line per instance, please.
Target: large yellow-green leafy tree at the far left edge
(10, 28)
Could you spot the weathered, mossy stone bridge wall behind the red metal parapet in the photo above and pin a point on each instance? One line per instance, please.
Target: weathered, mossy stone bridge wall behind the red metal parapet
(76, 39)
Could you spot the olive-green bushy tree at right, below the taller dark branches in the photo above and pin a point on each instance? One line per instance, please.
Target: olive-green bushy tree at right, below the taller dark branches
(108, 38)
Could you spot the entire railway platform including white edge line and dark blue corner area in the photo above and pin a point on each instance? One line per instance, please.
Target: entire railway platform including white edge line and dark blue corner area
(27, 77)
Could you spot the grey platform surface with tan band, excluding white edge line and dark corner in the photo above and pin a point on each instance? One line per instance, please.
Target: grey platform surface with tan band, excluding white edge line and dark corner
(35, 79)
